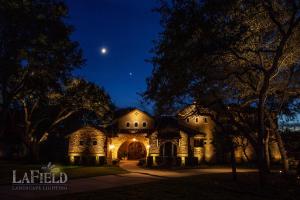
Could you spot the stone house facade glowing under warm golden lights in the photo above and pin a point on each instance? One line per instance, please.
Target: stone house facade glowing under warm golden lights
(134, 134)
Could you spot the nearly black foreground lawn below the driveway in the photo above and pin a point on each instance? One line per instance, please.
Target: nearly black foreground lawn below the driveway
(206, 187)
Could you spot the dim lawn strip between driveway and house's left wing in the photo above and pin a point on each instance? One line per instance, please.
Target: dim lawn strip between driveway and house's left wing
(73, 172)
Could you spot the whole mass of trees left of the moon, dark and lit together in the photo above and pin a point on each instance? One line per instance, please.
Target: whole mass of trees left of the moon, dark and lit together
(39, 97)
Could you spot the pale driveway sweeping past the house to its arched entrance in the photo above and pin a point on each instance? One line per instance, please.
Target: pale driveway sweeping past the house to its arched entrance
(136, 175)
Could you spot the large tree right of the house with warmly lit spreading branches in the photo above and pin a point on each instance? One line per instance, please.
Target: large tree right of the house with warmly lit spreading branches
(238, 56)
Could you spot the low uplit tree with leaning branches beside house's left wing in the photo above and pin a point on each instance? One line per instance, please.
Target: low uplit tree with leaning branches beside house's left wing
(43, 115)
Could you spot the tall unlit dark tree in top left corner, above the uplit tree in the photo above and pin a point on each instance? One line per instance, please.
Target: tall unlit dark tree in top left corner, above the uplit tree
(36, 53)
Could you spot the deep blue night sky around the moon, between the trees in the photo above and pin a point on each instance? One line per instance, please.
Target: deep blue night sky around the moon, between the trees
(126, 29)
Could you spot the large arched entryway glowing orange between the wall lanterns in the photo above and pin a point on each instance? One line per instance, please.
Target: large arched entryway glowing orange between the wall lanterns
(132, 151)
